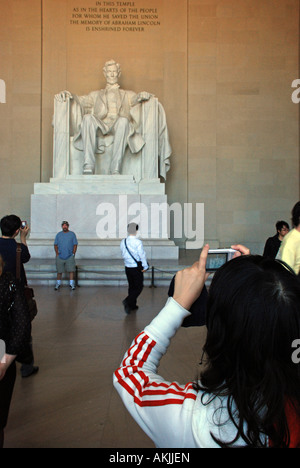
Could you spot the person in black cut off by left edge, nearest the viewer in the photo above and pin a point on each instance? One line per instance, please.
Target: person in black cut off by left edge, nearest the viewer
(15, 331)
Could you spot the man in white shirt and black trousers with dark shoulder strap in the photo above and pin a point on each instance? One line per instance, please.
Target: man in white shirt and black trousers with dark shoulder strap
(133, 252)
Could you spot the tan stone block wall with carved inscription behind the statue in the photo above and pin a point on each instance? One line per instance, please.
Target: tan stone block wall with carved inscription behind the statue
(222, 69)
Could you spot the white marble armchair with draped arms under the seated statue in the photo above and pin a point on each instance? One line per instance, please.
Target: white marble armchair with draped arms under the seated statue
(150, 163)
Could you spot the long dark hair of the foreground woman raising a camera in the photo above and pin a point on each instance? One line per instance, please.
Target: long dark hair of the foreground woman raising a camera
(253, 317)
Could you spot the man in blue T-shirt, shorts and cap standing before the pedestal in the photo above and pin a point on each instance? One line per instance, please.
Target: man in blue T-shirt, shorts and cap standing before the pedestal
(65, 246)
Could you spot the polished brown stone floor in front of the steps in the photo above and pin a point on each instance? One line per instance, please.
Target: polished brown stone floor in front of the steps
(79, 340)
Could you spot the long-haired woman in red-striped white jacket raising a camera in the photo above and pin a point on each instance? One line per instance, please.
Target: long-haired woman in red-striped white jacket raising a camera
(248, 394)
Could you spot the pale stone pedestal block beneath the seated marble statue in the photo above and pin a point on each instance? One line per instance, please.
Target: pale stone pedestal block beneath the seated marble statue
(99, 209)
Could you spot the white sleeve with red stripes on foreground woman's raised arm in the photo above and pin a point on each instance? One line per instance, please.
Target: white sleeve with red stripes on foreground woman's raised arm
(162, 409)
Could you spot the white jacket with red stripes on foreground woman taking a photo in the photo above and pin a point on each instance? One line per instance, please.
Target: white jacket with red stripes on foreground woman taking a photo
(172, 415)
